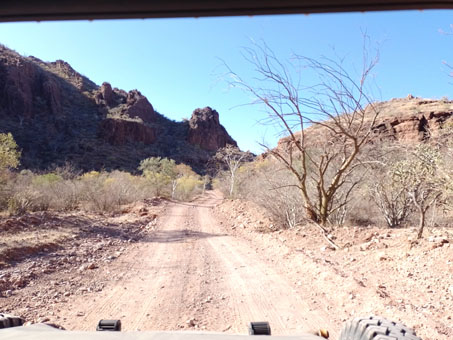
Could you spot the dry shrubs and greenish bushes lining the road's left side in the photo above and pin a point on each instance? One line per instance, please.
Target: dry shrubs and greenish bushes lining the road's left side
(66, 189)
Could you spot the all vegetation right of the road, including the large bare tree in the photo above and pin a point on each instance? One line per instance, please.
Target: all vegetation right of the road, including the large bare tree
(330, 170)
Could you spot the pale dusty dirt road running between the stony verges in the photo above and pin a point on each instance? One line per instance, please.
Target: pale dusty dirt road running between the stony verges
(188, 268)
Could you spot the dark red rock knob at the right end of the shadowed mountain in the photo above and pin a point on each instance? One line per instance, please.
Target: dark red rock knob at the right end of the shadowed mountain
(206, 131)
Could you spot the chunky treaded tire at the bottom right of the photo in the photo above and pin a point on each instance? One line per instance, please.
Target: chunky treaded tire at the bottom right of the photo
(376, 328)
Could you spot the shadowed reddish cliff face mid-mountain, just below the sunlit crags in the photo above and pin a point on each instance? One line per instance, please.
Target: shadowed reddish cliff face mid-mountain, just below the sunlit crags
(120, 132)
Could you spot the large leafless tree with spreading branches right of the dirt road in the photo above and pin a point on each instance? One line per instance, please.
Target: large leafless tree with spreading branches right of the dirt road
(327, 123)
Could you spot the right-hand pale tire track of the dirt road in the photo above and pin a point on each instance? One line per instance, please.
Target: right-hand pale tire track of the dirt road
(258, 292)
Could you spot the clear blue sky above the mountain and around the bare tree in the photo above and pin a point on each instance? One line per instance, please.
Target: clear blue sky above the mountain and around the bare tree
(176, 62)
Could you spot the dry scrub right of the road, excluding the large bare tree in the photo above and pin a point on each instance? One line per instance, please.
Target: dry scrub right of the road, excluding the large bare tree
(405, 187)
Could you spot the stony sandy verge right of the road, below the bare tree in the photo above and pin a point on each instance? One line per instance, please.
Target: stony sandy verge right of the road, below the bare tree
(379, 271)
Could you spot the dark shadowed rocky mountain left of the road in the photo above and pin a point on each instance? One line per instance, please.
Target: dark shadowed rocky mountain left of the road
(58, 115)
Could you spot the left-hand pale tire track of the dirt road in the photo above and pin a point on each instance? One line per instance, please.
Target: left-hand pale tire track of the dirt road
(153, 280)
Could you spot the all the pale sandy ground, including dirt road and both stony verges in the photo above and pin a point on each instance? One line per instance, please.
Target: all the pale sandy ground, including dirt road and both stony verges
(207, 265)
